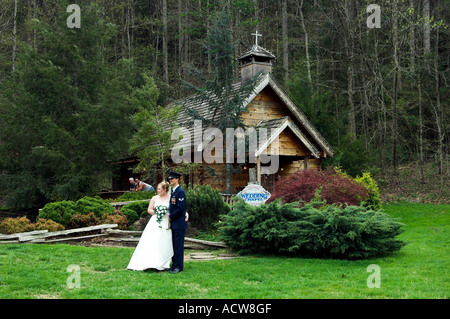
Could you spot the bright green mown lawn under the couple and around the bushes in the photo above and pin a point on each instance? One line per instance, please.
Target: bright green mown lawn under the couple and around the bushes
(419, 270)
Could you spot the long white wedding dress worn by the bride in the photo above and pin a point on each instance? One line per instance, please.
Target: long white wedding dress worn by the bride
(154, 249)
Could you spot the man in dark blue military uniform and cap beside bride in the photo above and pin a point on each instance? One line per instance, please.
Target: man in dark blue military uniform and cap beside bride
(177, 213)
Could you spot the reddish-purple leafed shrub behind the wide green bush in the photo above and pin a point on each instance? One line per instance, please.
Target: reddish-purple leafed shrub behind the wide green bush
(302, 185)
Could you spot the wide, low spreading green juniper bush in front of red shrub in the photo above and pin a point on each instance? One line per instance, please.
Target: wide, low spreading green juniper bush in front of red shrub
(350, 232)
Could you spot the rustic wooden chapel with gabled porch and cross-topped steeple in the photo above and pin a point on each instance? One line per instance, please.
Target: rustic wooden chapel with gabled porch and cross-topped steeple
(300, 144)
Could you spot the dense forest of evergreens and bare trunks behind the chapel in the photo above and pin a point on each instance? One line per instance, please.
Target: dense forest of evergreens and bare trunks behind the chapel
(379, 96)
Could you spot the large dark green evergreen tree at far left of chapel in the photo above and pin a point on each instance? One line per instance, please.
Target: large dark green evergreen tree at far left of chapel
(66, 115)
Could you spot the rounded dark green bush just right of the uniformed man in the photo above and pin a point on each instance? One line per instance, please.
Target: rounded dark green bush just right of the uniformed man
(204, 205)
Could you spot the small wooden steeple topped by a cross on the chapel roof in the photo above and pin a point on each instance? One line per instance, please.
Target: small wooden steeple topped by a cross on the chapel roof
(256, 60)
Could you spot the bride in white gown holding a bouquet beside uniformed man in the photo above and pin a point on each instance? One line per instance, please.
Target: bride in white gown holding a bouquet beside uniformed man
(155, 249)
